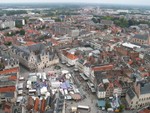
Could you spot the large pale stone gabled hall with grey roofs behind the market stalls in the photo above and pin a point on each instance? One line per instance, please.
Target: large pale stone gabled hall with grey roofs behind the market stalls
(37, 56)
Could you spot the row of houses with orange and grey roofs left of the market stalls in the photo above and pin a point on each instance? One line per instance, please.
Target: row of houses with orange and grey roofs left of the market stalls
(9, 75)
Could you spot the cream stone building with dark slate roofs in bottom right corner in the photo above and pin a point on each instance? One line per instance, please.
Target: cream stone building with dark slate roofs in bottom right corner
(139, 95)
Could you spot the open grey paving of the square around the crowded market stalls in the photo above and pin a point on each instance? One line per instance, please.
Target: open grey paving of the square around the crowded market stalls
(90, 98)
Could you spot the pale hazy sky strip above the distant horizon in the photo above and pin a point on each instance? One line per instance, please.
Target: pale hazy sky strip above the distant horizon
(131, 2)
